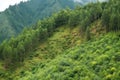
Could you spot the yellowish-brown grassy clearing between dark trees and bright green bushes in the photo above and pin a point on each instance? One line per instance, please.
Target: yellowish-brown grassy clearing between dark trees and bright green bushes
(46, 51)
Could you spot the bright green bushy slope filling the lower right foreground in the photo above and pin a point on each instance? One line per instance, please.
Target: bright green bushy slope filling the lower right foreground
(93, 60)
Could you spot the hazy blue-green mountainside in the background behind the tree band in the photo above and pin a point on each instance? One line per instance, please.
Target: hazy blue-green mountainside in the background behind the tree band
(16, 17)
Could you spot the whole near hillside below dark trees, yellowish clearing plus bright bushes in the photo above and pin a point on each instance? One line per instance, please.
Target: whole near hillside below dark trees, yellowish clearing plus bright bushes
(63, 56)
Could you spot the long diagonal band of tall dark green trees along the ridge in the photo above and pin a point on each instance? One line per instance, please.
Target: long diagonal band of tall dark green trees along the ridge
(16, 49)
